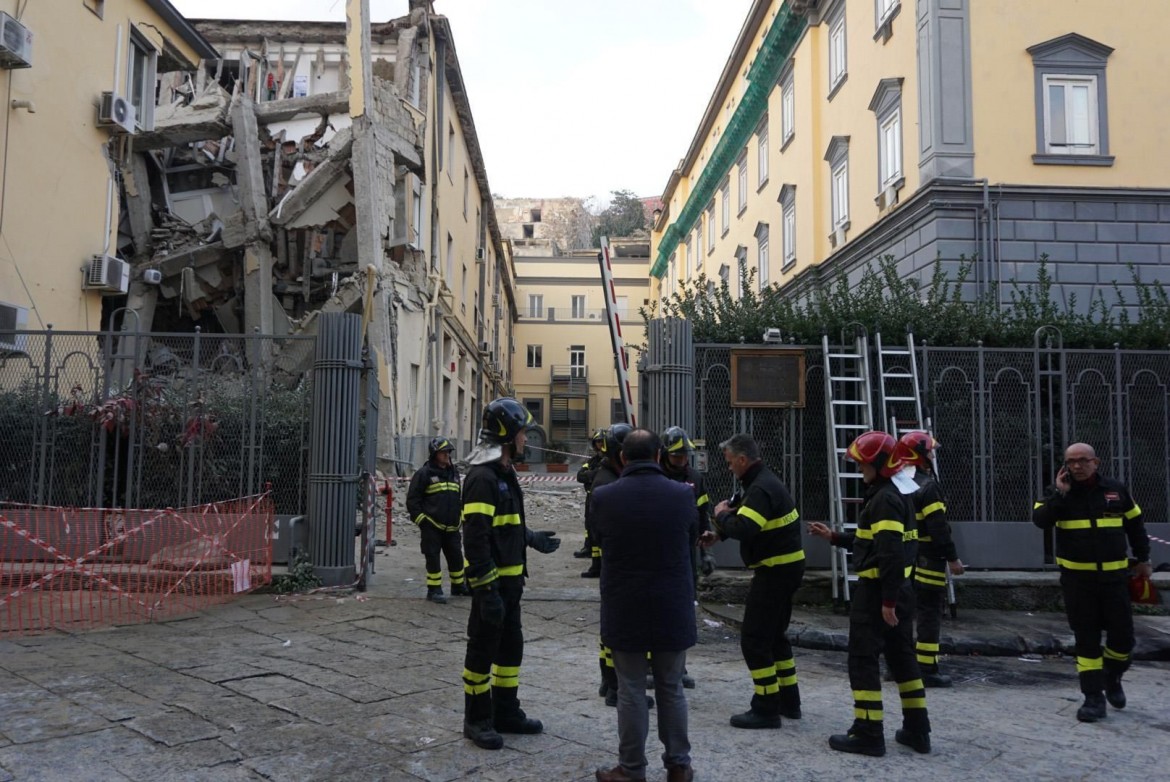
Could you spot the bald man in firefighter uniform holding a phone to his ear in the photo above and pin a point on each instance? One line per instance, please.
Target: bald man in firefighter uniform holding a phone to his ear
(1096, 518)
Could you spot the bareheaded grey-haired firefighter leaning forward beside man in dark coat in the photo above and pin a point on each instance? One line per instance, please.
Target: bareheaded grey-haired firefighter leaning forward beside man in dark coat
(766, 523)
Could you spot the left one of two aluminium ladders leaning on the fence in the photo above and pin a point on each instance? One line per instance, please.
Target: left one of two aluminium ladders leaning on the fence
(849, 413)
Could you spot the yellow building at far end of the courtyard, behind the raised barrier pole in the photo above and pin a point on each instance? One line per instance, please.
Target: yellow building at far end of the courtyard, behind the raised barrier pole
(563, 362)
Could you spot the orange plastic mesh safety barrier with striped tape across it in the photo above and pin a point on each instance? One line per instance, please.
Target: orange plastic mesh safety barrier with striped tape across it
(78, 568)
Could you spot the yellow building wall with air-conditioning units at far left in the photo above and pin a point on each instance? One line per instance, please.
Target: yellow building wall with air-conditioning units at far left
(59, 193)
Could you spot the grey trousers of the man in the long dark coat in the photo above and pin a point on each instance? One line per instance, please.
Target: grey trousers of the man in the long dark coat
(634, 715)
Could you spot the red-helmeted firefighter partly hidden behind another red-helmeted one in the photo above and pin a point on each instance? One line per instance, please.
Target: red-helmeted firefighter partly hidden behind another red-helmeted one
(937, 555)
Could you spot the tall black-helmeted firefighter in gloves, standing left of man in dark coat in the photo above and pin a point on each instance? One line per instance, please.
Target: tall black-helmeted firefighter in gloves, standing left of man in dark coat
(495, 541)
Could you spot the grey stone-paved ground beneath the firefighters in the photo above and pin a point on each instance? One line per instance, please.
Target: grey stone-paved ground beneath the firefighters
(368, 688)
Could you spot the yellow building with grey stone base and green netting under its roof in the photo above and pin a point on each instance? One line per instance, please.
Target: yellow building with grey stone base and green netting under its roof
(1001, 132)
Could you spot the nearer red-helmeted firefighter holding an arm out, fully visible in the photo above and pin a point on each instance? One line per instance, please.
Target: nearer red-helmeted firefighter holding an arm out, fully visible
(883, 602)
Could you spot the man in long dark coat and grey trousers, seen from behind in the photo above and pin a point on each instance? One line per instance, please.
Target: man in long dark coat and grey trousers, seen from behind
(646, 526)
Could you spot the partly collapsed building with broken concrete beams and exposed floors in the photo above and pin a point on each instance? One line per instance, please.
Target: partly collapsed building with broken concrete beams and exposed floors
(306, 168)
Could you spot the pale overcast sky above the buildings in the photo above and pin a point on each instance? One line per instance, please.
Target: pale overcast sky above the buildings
(569, 98)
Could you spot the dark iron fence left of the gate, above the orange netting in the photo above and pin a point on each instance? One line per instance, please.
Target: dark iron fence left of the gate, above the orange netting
(153, 421)
